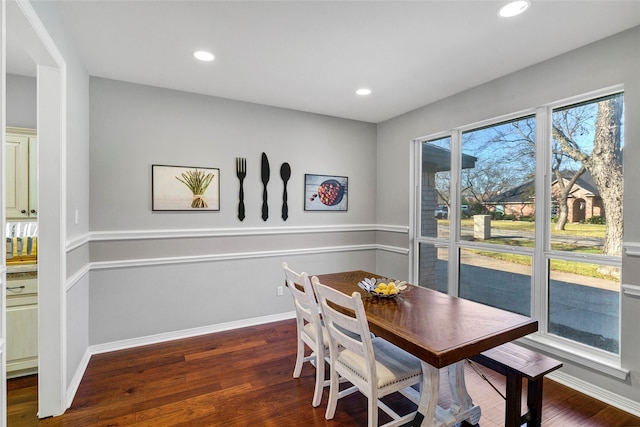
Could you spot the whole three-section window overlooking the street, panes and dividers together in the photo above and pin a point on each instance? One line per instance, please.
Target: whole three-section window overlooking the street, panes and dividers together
(528, 218)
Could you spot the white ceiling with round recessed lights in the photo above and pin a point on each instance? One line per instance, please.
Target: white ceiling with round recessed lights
(313, 55)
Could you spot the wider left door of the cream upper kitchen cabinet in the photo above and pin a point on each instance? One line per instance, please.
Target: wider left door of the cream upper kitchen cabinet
(17, 176)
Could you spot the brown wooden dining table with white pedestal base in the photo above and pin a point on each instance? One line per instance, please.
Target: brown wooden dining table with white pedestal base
(442, 331)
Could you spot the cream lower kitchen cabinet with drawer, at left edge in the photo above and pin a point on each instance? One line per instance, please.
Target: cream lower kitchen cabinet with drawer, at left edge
(22, 326)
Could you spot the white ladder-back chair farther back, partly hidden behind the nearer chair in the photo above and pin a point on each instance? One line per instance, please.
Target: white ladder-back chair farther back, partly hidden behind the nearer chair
(309, 330)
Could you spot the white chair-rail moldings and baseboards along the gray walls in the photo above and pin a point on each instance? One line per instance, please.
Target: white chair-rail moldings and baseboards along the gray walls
(632, 249)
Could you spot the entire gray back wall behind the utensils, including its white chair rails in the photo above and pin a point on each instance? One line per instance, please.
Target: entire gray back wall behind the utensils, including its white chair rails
(159, 272)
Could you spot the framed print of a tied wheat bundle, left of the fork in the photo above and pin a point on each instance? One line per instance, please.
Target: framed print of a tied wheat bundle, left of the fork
(183, 188)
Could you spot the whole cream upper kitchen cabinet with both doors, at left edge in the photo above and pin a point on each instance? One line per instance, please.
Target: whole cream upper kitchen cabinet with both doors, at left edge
(21, 173)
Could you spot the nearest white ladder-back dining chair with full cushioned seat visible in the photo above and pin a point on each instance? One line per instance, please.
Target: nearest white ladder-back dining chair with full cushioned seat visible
(373, 365)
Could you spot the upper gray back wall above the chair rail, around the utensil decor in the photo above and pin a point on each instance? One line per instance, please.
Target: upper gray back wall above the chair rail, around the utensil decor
(134, 126)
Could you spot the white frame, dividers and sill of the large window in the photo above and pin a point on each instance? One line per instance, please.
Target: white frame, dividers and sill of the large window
(585, 355)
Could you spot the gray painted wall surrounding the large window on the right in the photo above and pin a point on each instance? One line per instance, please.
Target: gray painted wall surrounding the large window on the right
(612, 61)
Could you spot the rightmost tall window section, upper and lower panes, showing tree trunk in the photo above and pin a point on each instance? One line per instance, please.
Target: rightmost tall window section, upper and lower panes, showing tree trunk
(586, 234)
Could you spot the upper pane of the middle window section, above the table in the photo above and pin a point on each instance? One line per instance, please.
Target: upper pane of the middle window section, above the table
(500, 182)
